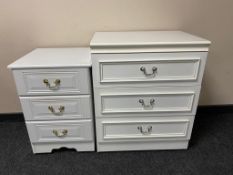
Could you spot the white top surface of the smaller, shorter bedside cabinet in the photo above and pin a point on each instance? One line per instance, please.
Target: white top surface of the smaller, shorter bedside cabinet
(54, 58)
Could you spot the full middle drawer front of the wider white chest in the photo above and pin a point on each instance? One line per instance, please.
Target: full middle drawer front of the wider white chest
(147, 101)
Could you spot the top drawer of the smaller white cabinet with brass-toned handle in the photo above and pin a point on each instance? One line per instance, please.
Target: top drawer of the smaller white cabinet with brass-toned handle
(52, 81)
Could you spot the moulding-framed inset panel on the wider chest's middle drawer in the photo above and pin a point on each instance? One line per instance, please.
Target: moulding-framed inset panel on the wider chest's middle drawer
(160, 103)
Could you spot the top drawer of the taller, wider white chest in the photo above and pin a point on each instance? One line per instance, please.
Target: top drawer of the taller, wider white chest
(159, 68)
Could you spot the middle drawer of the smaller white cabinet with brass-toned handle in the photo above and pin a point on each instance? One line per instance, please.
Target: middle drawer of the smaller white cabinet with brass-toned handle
(56, 107)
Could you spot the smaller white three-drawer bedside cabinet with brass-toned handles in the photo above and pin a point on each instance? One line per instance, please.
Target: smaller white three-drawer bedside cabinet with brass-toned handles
(54, 87)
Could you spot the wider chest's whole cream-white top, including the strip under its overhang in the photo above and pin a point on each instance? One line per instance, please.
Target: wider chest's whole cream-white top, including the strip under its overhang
(146, 41)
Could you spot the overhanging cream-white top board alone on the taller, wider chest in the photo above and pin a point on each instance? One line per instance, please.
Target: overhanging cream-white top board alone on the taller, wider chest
(135, 38)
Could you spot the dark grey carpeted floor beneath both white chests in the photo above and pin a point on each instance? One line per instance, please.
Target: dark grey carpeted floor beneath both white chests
(210, 153)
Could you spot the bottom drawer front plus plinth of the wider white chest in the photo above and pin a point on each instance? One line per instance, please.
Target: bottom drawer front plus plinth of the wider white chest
(122, 134)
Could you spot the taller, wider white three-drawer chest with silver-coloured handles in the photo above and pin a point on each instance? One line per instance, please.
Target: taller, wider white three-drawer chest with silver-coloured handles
(146, 88)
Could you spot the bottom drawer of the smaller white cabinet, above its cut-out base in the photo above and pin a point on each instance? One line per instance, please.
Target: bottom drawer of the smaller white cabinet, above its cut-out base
(60, 131)
